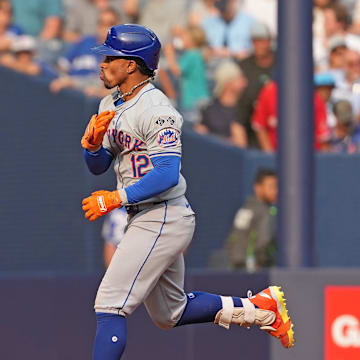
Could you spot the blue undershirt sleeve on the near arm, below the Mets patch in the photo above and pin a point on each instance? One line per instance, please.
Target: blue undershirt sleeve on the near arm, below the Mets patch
(162, 177)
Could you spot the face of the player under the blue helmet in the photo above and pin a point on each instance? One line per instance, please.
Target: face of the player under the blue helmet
(114, 71)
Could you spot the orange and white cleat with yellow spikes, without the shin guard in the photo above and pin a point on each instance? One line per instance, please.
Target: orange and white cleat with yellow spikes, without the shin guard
(272, 299)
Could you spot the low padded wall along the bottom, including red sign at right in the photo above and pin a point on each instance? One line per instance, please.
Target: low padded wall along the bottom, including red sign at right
(50, 317)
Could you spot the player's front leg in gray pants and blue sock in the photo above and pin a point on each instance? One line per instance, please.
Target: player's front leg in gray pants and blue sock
(147, 249)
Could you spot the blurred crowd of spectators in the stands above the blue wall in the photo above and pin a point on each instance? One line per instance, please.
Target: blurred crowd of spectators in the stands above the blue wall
(218, 61)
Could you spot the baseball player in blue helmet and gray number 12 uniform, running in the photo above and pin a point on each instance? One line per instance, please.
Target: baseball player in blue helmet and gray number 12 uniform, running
(138, 129)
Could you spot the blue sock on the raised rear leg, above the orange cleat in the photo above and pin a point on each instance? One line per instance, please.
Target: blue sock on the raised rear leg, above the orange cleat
(202, 307)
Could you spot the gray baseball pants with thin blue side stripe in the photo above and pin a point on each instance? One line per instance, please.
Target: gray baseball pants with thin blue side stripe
(148, 265)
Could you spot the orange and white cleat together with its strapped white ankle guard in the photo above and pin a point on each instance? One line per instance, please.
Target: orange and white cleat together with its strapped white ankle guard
(267, 309)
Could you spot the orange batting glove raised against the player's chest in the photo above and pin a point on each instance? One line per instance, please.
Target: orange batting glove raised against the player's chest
(96, 130)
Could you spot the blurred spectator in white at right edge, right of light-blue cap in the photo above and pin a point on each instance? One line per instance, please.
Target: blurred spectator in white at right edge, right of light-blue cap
(349, 88)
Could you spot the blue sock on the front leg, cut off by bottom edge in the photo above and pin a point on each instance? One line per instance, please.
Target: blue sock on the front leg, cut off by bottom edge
(110, 337)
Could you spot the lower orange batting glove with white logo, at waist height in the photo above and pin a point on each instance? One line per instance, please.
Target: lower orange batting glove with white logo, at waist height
(100, 203)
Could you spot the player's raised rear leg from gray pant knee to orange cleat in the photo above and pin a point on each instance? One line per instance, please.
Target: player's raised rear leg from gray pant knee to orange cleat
(168, 303)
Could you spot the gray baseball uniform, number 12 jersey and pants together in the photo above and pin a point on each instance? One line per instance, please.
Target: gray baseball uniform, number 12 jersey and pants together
(148, 264)
